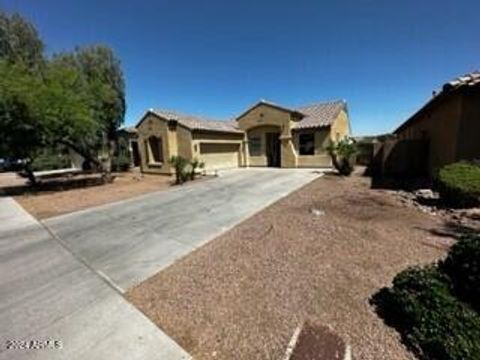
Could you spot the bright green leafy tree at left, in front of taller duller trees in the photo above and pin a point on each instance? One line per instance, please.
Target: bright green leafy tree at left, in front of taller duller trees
(38, 112)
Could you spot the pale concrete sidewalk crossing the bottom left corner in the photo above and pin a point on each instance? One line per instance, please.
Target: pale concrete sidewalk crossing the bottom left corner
(48, 294)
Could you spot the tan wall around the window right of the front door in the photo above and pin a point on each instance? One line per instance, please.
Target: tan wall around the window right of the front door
(320, 157)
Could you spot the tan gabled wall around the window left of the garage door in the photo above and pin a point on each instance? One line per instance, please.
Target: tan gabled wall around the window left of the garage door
(152, 125)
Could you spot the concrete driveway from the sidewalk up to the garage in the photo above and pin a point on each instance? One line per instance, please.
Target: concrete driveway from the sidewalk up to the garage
(129, 241)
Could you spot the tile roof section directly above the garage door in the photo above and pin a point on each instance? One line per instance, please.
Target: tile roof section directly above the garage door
(198, 123)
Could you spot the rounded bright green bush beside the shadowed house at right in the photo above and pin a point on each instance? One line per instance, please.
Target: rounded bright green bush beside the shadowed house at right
(459, 184)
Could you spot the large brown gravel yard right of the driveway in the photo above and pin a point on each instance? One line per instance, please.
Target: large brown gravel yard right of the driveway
(242, 295)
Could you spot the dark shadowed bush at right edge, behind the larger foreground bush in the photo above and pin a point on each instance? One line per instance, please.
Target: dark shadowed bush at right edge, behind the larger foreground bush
(463, 267)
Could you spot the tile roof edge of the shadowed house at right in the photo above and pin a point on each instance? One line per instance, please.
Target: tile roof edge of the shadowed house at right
(462, 82)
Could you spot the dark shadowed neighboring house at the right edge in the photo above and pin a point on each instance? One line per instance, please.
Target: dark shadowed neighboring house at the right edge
(445, 130)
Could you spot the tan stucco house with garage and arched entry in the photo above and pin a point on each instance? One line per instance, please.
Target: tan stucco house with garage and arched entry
(266, 134)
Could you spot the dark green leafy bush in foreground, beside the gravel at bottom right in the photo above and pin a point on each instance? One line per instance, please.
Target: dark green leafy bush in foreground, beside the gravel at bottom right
(433, 323)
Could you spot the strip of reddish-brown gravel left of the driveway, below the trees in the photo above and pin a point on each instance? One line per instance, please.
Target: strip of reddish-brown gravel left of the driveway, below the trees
(126, 185)
